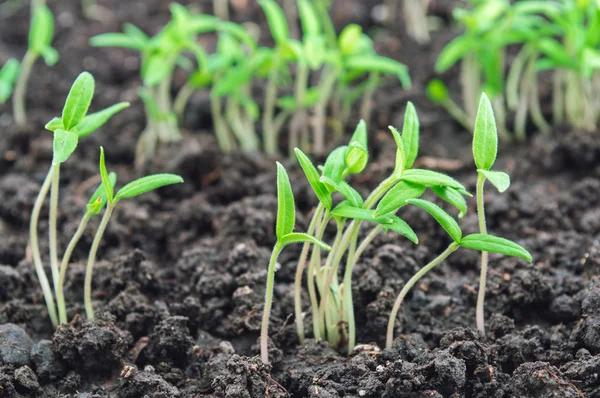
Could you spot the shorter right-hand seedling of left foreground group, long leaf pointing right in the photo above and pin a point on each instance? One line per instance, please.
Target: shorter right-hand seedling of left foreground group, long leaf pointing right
(130, 190)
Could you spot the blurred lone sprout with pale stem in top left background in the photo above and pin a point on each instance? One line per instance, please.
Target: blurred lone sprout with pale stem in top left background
(40, 39)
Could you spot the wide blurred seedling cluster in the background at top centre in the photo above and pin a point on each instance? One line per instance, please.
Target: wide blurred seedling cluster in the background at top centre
(348, 65)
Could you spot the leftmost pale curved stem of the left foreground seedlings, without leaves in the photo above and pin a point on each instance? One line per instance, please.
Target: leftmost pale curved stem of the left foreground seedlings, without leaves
(35, 248)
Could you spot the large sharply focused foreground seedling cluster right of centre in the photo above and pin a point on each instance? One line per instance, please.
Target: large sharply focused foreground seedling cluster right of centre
(331, 300)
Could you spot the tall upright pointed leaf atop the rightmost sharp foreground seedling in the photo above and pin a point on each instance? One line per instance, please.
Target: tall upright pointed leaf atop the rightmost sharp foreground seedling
(485, 136)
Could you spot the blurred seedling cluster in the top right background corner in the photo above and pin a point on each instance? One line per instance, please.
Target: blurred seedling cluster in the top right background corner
(561, 38)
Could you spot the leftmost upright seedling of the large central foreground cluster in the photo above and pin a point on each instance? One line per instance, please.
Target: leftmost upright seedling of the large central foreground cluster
(286, 219)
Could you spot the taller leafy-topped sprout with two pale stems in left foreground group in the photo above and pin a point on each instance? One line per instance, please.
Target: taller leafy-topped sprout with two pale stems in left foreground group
(73, 124)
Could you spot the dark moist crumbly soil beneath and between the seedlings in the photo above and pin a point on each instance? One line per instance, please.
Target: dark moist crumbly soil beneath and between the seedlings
(179, 285)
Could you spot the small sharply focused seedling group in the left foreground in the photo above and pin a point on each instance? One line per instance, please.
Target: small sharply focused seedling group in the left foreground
(75, 123)
